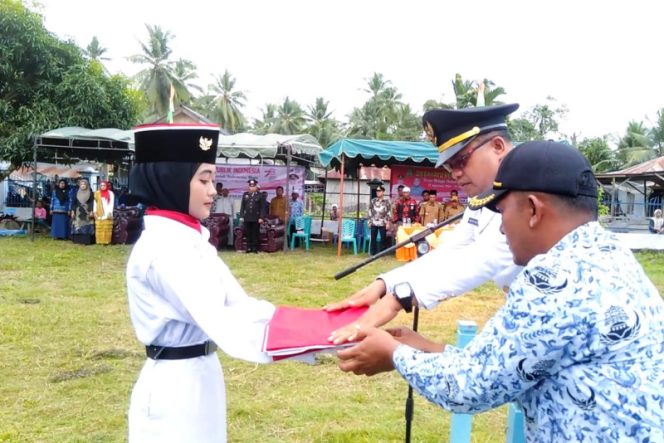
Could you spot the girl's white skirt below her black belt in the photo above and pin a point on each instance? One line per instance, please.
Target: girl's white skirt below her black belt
(179, 401)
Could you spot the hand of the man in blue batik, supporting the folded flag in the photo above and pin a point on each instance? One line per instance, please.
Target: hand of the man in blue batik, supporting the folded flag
(371, 356)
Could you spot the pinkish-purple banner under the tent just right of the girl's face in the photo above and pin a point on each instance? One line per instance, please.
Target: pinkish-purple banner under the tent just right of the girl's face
(235, 177)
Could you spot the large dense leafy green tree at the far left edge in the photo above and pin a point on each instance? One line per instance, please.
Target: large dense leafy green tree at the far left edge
(46, 83)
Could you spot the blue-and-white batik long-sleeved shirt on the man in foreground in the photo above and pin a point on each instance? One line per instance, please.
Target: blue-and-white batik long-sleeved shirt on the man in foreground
(579, 344)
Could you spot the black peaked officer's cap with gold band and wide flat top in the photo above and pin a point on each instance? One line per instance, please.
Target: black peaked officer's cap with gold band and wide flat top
(450, 130)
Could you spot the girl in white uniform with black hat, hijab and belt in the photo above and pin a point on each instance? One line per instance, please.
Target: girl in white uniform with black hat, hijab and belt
(183, 300)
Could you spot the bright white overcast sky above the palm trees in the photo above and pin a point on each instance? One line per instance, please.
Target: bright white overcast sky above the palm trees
(601, 59)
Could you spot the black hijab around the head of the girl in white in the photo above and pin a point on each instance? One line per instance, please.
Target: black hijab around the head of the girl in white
(164, 185)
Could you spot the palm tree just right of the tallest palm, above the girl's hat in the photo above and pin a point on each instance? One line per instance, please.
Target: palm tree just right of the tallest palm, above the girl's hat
(227, 102)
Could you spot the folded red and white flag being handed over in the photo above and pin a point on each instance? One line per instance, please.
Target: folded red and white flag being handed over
(294, 332)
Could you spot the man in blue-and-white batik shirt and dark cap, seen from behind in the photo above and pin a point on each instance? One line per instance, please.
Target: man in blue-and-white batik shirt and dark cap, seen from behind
(579, 343)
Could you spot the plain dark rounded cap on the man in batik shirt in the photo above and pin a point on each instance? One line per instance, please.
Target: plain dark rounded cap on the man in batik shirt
(540, 166)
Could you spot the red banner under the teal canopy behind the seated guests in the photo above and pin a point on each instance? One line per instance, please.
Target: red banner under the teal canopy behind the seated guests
(419, 179)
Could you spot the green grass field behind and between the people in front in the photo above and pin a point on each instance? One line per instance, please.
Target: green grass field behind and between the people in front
(70, 358)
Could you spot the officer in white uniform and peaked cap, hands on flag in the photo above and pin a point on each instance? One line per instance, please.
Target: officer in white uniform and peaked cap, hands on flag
(471, 143)
